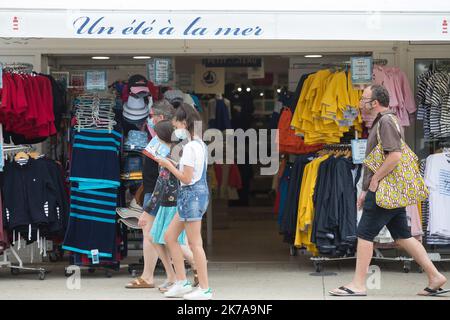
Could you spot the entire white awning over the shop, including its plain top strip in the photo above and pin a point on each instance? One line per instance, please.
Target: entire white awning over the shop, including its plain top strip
(351, 20)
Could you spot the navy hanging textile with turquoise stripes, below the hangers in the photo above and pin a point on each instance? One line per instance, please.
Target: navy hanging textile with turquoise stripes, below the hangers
(95, 179)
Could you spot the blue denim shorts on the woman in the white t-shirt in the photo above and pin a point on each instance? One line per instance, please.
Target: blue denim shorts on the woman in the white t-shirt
(192, 202)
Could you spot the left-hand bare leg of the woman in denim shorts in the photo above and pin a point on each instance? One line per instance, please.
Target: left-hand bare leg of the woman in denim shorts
(171, 238)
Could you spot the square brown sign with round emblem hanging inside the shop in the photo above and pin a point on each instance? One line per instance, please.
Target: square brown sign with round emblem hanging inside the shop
(209, 80)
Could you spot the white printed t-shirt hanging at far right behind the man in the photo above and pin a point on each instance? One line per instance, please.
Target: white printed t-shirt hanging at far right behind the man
(437, 178)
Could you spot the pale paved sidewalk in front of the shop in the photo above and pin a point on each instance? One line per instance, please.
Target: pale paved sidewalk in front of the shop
(253, 280)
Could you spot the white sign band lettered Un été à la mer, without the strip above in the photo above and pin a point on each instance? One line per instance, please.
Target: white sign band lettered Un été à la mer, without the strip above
(268, 25)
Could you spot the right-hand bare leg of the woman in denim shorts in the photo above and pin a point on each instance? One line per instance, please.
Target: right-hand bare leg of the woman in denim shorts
(193, 231)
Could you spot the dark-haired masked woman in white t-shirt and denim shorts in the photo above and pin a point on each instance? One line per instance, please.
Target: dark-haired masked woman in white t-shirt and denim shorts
(192, 203)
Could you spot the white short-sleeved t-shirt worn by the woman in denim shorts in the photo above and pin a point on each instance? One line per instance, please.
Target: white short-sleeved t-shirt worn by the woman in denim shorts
(194, 156)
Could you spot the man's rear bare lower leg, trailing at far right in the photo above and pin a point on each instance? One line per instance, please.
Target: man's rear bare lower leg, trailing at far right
(419, 254)
